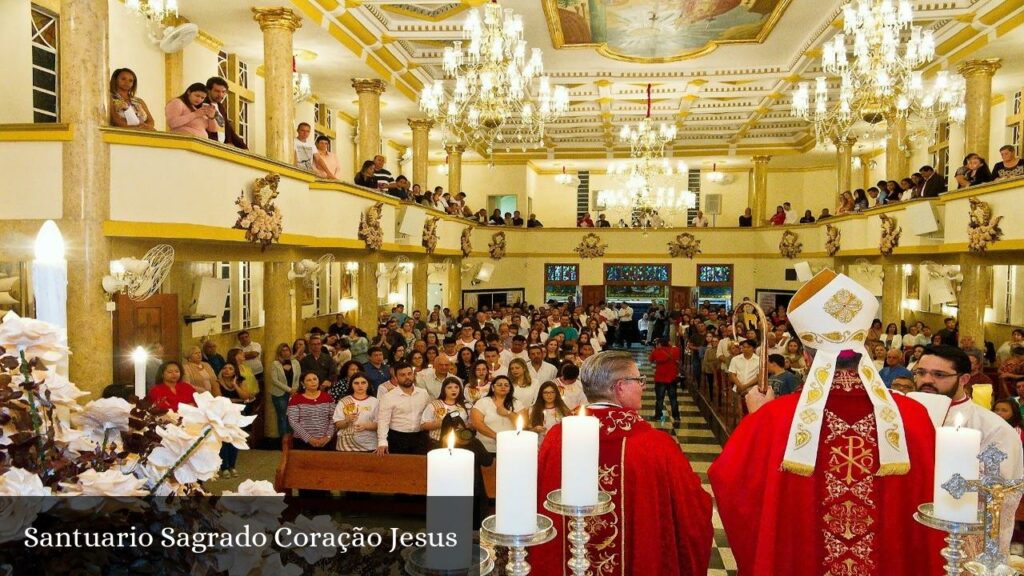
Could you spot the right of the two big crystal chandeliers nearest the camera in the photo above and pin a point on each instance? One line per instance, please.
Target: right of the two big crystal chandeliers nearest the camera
(875, 61)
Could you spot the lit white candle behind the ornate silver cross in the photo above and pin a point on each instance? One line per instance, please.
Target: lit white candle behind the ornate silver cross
(957, 451)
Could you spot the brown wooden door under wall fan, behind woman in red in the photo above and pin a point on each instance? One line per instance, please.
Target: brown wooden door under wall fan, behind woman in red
(154, 321)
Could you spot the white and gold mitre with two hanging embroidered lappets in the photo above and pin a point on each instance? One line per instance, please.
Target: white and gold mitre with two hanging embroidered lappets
(833, 314)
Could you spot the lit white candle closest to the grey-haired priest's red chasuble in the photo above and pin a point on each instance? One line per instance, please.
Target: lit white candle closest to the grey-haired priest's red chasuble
(581, 445)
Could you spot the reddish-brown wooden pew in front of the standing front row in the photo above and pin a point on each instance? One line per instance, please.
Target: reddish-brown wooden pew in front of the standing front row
(357, 472)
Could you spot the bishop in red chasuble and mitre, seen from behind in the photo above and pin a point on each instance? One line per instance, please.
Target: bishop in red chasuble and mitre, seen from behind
(828, 482)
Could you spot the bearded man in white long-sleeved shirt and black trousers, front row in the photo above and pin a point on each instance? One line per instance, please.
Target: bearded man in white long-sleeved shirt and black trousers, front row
(400, 416)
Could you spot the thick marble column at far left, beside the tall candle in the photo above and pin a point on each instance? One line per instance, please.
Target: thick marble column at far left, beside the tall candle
(87, 185)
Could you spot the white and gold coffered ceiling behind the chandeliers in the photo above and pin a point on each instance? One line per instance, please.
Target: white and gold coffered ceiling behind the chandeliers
(727, 97)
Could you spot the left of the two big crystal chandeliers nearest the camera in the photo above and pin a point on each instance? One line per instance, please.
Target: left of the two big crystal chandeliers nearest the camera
(494, 87)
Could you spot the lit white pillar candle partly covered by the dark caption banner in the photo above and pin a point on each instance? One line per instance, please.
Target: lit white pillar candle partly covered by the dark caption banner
(450, 505)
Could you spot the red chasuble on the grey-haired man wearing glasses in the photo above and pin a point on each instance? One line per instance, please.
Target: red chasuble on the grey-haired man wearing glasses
(662, 522)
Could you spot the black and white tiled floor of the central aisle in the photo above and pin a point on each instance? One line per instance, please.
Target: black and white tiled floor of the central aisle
(701, 447)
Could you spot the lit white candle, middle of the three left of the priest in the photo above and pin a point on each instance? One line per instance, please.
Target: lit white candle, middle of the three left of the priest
(517, 486)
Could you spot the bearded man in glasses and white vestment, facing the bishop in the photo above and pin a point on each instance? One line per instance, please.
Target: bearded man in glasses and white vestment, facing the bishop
(947, 371)
